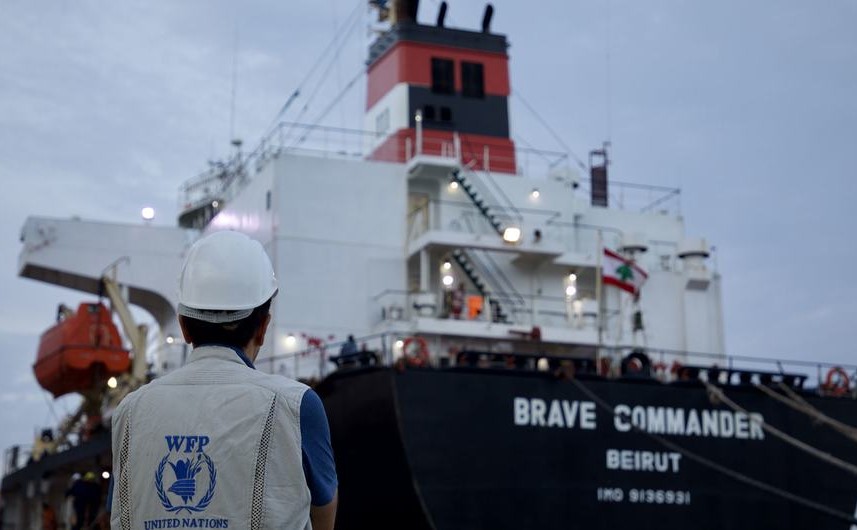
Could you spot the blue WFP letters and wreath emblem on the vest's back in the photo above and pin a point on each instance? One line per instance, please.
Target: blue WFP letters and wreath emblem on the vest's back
(191, 472)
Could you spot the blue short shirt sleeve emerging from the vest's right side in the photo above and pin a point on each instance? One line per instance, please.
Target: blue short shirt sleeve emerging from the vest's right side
(319, 467)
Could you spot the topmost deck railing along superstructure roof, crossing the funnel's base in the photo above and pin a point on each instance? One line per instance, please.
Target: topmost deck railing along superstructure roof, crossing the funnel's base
(224, 179)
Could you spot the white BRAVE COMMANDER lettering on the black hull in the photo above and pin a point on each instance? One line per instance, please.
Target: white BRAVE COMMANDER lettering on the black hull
(570, 414)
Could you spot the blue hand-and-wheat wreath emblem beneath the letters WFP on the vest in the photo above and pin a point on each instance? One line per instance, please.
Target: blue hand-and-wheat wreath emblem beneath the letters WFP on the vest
(185, 485)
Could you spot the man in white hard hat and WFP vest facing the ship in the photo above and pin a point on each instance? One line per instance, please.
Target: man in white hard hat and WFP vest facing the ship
(217, 444)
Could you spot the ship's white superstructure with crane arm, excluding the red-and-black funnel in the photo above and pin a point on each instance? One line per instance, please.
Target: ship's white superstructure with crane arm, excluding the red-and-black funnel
(360, 246)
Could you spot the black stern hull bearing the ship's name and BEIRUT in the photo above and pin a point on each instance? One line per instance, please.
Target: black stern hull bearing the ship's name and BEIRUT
(441, 449)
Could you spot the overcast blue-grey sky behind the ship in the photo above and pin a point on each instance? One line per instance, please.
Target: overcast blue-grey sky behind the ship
(748, 107)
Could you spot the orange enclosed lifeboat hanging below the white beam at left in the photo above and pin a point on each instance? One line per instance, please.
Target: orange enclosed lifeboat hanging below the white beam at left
(81, 351)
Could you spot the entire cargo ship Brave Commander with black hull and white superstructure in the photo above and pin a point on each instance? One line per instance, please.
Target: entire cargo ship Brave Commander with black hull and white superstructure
(537, 345)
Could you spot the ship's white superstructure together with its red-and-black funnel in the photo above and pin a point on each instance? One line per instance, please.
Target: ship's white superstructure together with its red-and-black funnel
(414, 237)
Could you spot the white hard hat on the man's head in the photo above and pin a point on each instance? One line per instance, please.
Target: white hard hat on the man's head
(225, 276)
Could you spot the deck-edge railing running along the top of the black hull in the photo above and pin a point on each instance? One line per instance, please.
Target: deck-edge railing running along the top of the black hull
(681, 367)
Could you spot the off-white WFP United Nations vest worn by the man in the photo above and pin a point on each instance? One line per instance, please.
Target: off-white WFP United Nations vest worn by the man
(213, 444)
